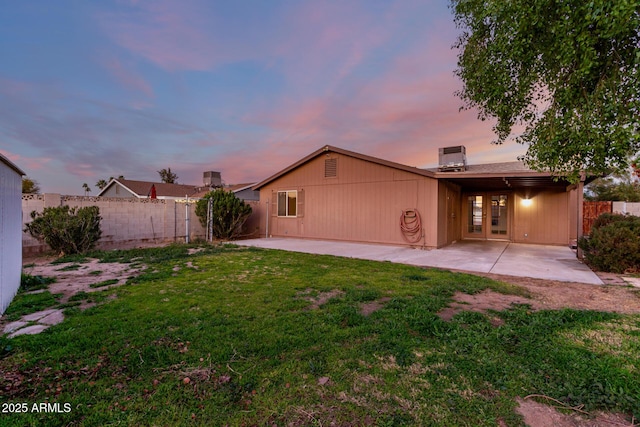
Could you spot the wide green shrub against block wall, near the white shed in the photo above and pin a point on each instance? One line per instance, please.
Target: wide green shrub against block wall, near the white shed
(67, 230)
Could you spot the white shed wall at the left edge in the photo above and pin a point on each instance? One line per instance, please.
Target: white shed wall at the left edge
(10, 231)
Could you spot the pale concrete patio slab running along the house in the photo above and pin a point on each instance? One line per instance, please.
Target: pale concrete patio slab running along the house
(499, 257)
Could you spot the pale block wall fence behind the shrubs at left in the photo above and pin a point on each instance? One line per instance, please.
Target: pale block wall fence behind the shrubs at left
(128, 223)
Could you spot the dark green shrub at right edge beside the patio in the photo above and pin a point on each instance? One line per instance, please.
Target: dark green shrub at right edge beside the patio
(613, 244)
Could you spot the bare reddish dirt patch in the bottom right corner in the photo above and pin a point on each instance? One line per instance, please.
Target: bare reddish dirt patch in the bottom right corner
(537, 414)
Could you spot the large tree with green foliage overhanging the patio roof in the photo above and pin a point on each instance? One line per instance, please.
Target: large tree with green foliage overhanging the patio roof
(567, 71)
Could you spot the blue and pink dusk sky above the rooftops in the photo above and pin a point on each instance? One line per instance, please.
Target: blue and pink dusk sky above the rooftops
(95, 89)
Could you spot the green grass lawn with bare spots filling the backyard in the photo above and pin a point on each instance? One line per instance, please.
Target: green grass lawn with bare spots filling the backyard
(239, 337)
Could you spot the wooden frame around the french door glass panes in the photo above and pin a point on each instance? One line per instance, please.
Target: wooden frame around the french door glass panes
(486, 217)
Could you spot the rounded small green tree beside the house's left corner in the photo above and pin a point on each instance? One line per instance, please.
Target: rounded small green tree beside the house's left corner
(228, 213)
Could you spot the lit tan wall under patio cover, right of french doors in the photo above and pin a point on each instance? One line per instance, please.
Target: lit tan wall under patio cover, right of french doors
(548, 220)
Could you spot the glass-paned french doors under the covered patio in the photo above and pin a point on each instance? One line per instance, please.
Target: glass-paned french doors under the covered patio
(486, 216)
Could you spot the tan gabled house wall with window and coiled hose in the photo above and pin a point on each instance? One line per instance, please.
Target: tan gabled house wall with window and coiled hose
(363, 202)
